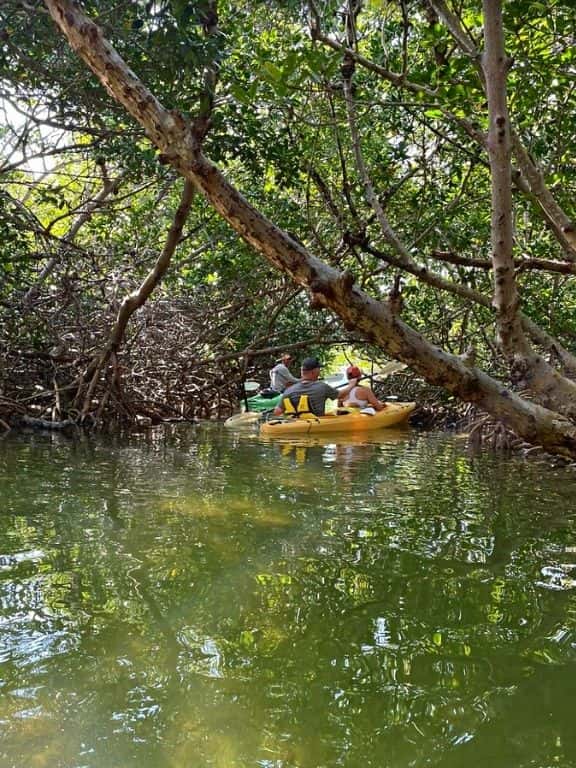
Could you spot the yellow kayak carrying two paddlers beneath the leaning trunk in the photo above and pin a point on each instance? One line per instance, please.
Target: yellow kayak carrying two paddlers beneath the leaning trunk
(354, 422)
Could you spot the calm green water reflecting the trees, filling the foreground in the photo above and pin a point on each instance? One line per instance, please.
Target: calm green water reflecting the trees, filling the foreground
(195, 598)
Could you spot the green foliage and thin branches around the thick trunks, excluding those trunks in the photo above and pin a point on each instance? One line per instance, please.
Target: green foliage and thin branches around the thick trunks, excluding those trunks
(307, 106)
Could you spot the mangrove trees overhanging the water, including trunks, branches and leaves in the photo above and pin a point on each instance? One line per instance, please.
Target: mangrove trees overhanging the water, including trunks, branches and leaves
(403, 167)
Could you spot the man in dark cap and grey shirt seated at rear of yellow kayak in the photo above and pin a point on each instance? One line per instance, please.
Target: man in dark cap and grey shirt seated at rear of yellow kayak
(307, 398)
